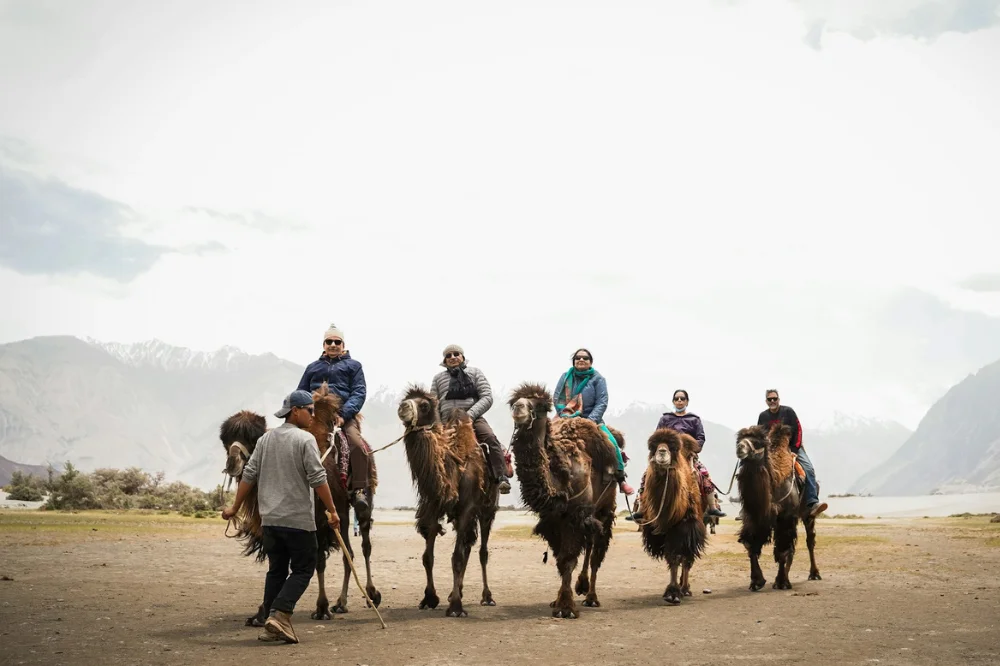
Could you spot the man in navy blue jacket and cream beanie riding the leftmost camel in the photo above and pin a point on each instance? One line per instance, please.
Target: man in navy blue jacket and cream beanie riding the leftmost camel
(345, 377)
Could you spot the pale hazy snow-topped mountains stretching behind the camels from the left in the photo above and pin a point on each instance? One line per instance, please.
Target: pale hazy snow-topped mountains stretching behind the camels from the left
(158, 407)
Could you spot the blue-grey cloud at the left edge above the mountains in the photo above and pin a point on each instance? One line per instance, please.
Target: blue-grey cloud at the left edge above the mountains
(49, 227)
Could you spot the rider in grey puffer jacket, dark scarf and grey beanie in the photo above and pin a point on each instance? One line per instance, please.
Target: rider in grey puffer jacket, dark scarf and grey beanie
(463, 387)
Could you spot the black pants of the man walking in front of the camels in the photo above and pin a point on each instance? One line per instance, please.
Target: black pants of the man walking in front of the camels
(287, 547)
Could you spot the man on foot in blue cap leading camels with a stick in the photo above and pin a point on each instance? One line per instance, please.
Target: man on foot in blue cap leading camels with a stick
(285, 467)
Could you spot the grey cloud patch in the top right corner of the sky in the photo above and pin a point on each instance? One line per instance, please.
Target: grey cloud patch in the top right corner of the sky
(922, 19)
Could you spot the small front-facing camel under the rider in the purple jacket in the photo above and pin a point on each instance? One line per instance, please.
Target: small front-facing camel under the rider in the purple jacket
(676, 531)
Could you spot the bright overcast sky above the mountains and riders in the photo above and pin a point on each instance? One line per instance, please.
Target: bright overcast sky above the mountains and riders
(716, 196)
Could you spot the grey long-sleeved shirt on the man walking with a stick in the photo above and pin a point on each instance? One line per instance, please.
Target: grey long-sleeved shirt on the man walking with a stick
(285, 466)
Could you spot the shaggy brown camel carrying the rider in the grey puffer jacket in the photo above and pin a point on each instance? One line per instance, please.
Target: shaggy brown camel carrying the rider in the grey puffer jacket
(448, 468)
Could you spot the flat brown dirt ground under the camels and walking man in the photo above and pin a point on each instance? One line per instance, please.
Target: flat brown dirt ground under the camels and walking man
(151, 589)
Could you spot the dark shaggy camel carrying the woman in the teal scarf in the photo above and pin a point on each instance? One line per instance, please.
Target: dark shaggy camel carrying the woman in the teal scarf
(566, 472)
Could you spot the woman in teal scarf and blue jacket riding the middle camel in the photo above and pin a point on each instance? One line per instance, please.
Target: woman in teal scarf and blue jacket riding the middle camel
(582, 391)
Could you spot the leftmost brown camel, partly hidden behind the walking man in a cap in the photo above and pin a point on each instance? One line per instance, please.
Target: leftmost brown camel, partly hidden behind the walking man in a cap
(239, 434)
